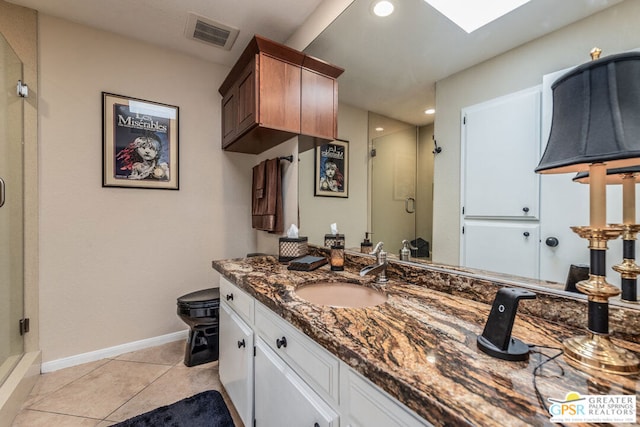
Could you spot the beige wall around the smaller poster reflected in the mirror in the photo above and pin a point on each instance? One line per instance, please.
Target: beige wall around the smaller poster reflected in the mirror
(350, 214)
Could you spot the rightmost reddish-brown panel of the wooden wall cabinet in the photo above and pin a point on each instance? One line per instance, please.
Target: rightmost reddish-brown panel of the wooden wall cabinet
(318, 109)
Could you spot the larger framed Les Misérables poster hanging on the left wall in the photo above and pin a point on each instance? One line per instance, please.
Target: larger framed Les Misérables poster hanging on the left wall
(139, 143)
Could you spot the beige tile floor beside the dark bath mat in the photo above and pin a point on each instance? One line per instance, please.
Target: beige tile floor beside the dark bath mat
(108, 391)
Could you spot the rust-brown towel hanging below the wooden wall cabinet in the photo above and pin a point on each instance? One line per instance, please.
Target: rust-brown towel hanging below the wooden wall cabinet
(266, 199)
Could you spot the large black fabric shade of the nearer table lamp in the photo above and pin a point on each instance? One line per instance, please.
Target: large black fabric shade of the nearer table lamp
(596, 116)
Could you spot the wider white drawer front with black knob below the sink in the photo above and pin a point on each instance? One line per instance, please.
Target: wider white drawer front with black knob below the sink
(313, 363)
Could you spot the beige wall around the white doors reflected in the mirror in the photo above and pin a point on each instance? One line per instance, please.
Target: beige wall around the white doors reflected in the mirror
(614, 30)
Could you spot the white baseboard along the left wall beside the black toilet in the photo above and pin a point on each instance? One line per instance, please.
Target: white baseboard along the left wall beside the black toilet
(105, 353)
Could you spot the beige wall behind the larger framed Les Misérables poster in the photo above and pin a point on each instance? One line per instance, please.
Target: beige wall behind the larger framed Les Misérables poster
(114, 260)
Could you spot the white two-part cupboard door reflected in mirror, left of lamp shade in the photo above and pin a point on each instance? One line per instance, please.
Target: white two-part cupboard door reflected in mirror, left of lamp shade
(500, 190)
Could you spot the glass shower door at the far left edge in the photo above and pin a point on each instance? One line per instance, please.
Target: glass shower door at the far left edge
(11, 211)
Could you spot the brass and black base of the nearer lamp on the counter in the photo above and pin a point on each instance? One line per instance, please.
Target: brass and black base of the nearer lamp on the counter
(596, 350)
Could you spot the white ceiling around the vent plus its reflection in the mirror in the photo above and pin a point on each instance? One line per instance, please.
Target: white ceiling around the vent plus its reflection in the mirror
(391, 64)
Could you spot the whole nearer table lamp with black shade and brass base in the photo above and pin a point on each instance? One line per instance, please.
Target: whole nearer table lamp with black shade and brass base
(596, 126)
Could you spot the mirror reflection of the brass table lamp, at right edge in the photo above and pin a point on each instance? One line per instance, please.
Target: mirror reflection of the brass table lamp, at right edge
(628, 269)
